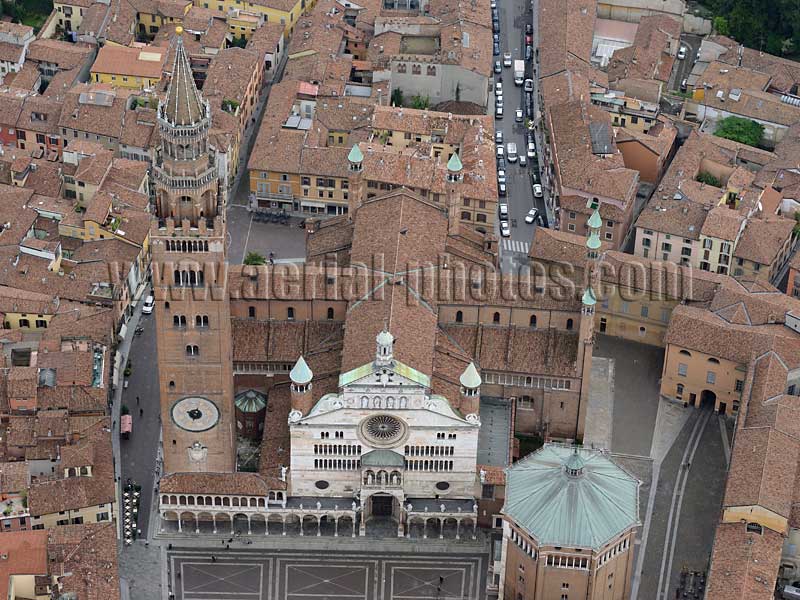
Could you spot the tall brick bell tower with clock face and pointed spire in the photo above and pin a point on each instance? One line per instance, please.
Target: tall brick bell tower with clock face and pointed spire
(192, 308)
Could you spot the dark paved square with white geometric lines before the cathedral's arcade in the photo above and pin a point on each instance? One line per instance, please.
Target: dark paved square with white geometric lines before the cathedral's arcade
(315, 575)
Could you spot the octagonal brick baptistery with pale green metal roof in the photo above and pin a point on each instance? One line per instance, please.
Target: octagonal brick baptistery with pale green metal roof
(570, 520)
